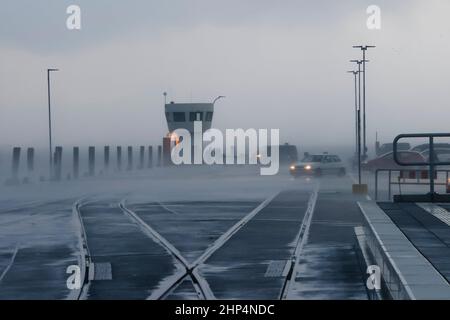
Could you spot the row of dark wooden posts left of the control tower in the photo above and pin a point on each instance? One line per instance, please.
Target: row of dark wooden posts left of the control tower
(163, 157)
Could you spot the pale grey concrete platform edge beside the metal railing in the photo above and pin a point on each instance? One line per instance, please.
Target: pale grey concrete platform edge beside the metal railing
(381, 236)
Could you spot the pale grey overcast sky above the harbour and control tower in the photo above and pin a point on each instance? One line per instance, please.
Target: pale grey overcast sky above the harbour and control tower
(281, 64)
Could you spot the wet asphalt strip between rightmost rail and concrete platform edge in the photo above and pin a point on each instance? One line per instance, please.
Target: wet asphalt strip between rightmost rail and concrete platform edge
(329, 265)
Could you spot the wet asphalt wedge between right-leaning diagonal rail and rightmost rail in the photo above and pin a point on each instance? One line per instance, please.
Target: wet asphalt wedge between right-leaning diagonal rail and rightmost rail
(240, 269)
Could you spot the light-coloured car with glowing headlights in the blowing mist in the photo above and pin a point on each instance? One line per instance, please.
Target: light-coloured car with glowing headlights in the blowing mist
(318, 164)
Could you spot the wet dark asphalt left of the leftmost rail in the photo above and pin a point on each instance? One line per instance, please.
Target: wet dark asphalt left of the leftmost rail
(33, 263)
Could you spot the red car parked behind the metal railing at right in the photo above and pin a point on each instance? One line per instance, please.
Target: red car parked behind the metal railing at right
(386, 161)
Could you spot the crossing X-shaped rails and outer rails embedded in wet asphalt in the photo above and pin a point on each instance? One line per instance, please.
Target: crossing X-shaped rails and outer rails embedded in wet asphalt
(189, 271)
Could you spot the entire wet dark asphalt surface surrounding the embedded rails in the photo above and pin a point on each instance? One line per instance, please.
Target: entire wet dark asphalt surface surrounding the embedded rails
(251, 264)
